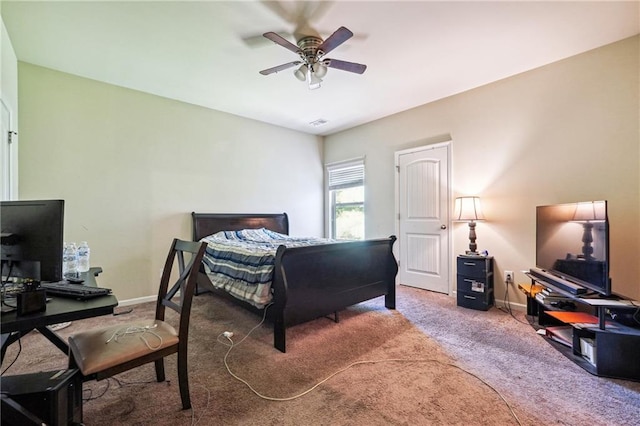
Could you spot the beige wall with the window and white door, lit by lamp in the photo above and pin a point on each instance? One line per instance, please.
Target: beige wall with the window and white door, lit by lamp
(569, 131)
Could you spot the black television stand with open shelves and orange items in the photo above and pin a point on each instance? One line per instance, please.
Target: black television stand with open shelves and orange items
(598, 344)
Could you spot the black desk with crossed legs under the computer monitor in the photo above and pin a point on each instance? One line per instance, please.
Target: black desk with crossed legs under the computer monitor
(59, 310)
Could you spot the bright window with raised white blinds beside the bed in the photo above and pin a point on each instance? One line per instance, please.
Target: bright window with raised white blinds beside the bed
(345, 191)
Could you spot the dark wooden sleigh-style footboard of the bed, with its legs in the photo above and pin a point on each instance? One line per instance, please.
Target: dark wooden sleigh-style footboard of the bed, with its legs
(311, 282)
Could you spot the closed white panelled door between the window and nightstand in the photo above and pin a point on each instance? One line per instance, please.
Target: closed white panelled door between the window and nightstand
(423, 217)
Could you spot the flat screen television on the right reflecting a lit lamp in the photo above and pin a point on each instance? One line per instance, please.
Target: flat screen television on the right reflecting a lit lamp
(572, 246)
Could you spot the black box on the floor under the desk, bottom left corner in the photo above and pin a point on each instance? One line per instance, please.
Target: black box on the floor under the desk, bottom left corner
(53, 397)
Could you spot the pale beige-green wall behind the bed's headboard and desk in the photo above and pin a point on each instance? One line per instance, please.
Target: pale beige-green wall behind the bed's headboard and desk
(132, 167)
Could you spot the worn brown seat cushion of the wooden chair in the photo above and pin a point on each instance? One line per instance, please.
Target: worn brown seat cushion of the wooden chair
(99, 349)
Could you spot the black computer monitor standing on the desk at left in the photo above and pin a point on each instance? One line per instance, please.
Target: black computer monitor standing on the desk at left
(32, 239)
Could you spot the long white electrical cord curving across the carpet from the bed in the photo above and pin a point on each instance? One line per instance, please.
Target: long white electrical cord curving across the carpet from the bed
(229, 335)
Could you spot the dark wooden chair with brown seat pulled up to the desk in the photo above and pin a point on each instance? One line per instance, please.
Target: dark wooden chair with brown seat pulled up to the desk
(105, 352)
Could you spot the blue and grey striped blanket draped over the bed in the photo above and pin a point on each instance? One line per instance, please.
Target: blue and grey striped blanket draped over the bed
(242, 262)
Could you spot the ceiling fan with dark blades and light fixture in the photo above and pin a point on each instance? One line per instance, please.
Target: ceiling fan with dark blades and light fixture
(311, 50)
